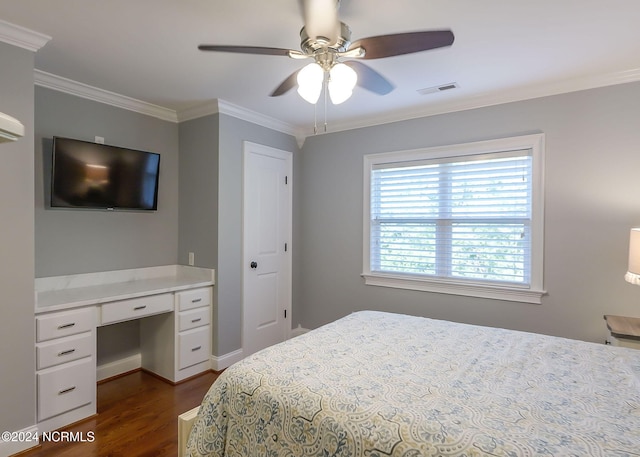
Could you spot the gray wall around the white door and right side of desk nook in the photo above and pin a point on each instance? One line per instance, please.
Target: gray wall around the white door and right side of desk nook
(211, 210)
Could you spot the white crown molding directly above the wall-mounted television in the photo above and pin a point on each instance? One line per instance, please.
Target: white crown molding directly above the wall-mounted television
(69, 86)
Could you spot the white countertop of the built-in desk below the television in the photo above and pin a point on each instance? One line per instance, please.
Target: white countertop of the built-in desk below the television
(67, 292)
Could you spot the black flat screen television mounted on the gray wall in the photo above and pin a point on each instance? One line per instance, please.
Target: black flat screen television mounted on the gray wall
(98, 176)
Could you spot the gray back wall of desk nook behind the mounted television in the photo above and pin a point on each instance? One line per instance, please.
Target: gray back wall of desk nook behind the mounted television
(84, 241)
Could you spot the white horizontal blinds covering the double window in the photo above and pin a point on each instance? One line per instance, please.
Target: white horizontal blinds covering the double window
(467, 218)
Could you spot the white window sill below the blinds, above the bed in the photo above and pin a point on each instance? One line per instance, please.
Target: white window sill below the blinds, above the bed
(515, 294)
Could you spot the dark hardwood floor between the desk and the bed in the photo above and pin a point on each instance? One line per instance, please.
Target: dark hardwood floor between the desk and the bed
(137, 416)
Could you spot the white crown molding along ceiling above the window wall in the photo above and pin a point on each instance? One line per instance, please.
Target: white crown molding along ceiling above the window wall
(490, 99)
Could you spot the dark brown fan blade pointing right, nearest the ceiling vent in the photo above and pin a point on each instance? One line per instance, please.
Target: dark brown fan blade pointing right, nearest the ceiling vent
(403, 43)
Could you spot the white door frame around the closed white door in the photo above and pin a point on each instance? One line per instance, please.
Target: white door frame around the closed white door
(247, 148)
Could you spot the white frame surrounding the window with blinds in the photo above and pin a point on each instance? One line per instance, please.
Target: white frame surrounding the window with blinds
(531, 293)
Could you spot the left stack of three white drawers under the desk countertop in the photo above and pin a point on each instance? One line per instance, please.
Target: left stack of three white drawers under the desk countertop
(65, 367)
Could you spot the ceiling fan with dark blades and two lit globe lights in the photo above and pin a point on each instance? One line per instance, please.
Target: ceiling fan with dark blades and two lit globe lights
(327, 41)
